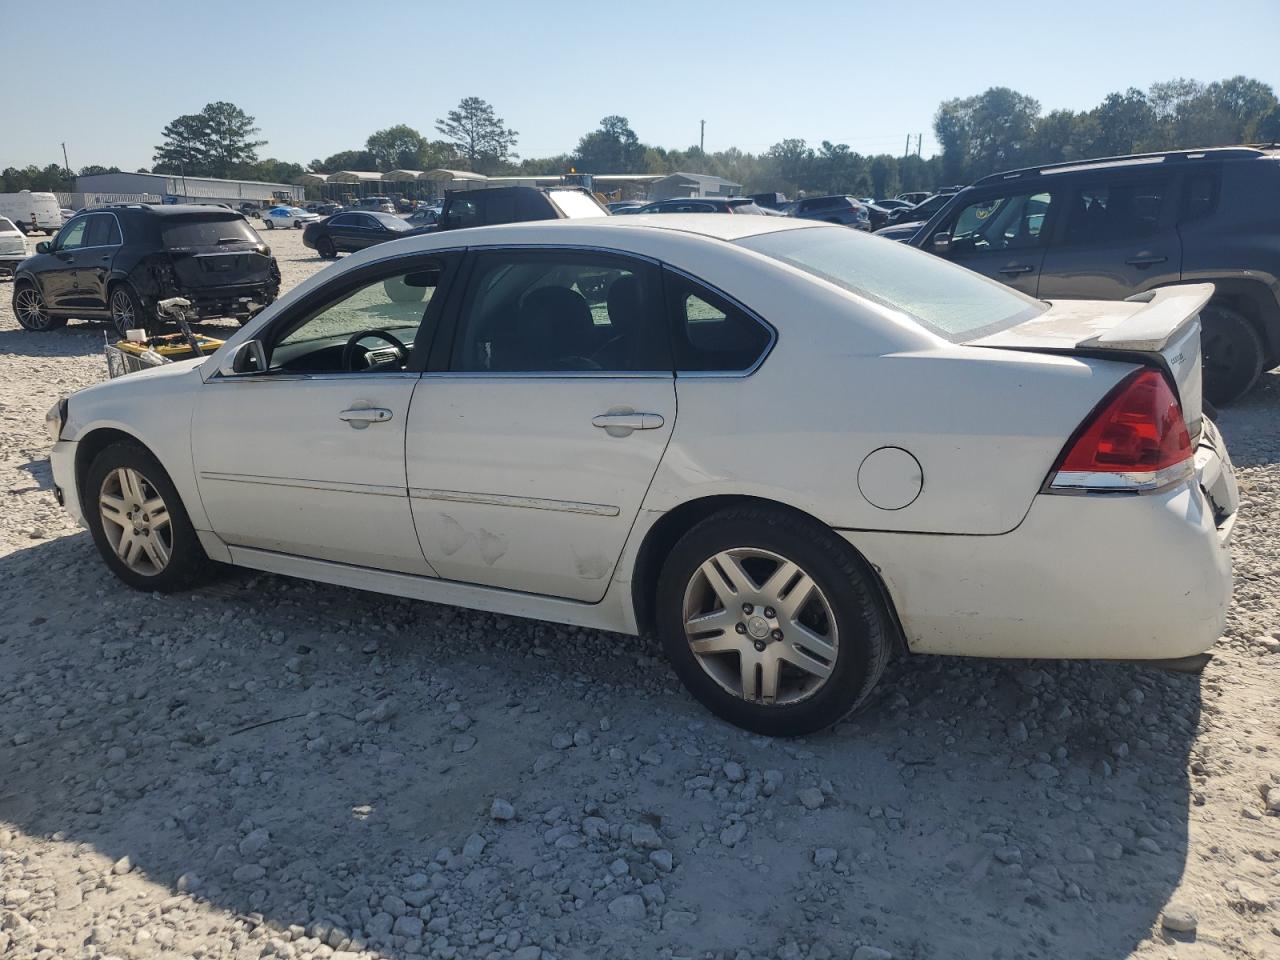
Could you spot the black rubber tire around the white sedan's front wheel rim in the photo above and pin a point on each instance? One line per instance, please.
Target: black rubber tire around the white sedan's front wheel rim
(188, 564)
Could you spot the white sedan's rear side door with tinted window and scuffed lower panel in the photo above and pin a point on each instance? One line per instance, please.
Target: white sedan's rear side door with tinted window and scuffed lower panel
(531, 451)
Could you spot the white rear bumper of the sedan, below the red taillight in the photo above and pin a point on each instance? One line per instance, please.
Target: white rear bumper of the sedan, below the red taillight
(1136, 578)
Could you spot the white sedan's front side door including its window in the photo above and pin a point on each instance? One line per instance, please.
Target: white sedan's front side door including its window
(308, 456)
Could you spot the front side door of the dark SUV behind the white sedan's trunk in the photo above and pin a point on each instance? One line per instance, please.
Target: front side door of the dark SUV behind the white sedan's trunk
(1002, 236)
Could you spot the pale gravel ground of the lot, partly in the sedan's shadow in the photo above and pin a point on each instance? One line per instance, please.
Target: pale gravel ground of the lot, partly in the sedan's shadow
(269, 767)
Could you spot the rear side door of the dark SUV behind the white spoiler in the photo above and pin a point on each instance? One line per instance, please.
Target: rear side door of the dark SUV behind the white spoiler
(1117, 237)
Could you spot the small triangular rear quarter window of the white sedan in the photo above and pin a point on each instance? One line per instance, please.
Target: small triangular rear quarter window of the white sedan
(710, 333)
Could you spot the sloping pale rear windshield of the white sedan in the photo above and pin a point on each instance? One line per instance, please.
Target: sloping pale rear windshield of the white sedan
(952, 301)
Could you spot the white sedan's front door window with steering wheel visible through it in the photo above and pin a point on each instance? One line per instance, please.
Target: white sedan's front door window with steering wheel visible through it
(369, 328)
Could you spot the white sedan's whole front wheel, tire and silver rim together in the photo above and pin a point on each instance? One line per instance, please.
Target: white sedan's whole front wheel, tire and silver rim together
(139, 523)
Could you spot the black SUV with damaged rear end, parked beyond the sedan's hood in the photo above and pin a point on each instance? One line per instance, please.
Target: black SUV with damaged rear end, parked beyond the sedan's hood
(118, 263)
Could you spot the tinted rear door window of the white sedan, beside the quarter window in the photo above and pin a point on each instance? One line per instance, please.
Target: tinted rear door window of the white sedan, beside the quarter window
(561, 313)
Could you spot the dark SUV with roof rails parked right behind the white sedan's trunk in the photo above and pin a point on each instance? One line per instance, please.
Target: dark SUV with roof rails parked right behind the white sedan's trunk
(1113, 228)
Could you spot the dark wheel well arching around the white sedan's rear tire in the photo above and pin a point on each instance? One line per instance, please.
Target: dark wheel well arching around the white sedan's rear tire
(675, 524)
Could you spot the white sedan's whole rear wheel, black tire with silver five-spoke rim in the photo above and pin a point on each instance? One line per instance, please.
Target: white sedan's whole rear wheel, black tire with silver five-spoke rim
(772, 621)
